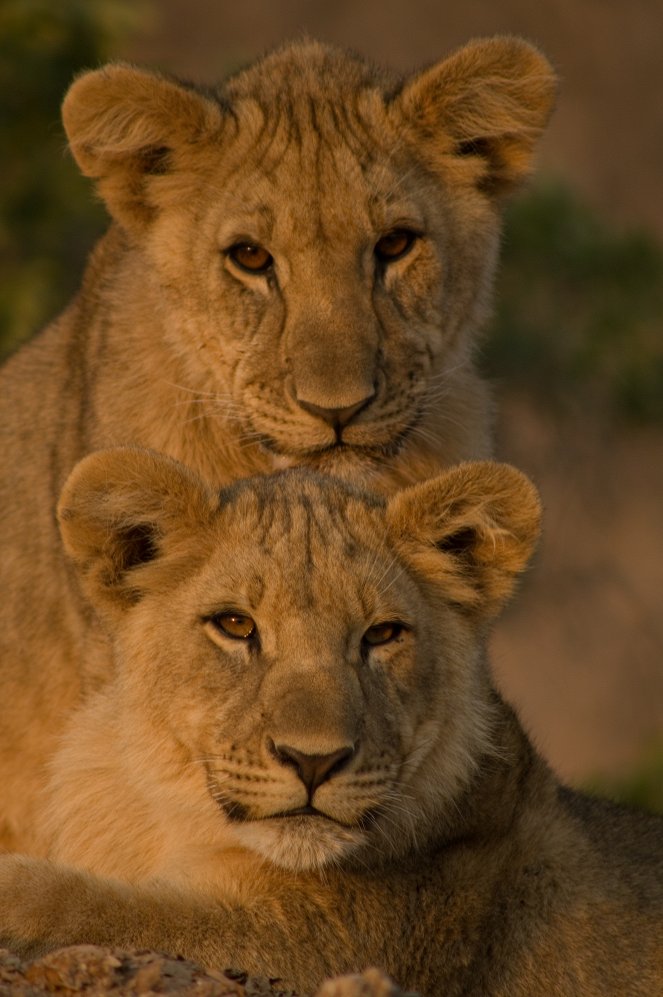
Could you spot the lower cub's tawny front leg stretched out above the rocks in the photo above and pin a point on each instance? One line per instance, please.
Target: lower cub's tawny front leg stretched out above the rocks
(44, 906)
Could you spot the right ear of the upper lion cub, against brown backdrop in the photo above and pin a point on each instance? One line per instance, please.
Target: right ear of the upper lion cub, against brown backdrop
(488, 102)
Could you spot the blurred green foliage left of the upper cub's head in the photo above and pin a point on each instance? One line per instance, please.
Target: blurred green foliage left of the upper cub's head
(48, 216)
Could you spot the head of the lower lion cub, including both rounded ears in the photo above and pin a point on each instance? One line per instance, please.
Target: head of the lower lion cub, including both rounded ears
(307, 656)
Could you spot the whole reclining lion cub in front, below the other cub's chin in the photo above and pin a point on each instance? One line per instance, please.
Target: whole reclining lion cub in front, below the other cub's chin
(300, 766)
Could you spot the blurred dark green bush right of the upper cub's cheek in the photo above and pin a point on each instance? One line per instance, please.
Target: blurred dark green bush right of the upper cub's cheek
(579, 318)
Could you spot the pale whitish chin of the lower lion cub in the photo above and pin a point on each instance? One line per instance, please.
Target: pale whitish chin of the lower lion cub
(300, 843)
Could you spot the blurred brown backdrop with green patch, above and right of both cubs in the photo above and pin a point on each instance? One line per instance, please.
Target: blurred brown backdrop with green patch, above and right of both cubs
(580, 652)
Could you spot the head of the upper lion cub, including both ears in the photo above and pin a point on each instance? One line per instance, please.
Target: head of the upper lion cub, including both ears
(322, 235)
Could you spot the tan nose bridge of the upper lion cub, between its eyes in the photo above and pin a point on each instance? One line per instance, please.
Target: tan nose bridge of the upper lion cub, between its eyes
(332, 334)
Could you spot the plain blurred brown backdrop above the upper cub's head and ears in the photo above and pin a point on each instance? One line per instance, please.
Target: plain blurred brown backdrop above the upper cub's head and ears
(607, 136)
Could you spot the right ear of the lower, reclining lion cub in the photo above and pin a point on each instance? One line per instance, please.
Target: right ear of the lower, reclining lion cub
(470, 531)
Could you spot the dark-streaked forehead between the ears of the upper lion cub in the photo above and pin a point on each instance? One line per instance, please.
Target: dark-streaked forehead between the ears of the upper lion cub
(312, 128)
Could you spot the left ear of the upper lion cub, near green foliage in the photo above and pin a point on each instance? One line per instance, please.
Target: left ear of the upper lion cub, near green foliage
(124, 125)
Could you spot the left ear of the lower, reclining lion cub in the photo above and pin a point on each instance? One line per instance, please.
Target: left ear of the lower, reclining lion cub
(123, 509)
